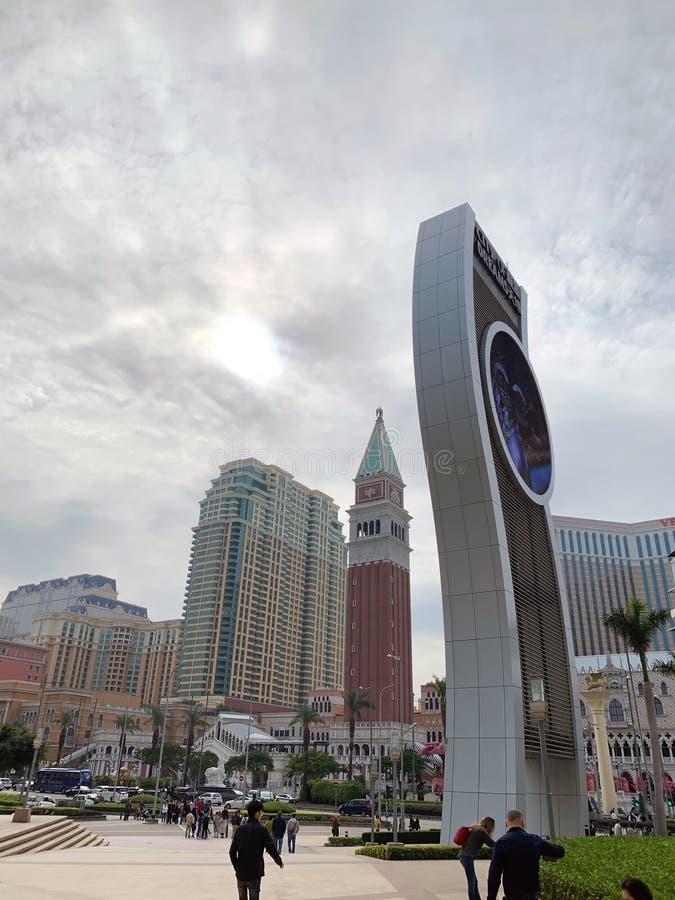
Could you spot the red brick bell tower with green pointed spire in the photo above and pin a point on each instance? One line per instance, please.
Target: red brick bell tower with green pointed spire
(377, 618)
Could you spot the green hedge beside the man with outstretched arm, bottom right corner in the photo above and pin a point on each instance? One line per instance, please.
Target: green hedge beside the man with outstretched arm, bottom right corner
(593, 868)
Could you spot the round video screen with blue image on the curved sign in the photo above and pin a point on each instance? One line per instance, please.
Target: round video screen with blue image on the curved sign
(519, 412)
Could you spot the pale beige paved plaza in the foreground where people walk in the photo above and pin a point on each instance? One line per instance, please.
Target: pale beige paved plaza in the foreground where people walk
(156, 861)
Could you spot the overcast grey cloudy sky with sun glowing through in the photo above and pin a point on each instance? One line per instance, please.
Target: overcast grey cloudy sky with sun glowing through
(208, 221)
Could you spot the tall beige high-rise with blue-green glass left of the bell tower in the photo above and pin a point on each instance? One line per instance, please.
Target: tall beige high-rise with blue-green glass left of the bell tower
(264, 604)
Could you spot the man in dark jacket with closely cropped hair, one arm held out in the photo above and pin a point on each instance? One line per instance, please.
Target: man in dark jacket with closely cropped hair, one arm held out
(515, 860)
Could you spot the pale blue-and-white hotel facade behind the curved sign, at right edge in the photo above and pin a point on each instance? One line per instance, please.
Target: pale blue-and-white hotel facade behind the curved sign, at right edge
(605, 563)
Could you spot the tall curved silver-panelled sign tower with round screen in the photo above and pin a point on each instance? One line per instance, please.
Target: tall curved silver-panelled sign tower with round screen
(490, 467)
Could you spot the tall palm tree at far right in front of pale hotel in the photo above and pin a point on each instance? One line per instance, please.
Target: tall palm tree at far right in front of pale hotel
(637, 625)
